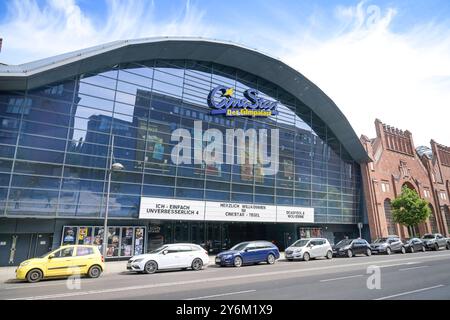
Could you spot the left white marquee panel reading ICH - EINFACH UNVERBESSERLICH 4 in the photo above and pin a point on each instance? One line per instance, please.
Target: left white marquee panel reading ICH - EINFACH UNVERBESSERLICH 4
(171, 209)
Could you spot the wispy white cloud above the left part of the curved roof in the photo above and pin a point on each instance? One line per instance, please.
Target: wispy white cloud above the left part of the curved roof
(32, 32)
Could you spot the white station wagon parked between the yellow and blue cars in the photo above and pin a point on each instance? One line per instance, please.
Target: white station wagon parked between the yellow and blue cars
(170, 256)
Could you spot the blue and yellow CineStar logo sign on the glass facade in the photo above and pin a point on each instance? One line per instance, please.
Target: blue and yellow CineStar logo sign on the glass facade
(221, 100)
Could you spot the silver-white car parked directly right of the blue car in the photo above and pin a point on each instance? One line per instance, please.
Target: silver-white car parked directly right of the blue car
(306, 249)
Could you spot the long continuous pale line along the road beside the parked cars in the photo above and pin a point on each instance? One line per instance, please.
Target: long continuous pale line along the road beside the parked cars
(246, 276)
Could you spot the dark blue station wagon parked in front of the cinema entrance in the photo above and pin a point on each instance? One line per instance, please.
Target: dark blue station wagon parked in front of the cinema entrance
(251, 252)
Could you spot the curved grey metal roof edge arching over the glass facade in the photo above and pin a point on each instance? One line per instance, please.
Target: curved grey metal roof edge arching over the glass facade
(41, 72)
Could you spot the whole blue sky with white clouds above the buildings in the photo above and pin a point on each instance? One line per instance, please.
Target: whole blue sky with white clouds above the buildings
(375, 59)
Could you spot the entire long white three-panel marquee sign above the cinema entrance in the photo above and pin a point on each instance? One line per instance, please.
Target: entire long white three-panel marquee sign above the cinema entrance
(173, 209)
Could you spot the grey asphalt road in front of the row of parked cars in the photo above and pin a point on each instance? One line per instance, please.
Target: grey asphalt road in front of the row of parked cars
(410, 276)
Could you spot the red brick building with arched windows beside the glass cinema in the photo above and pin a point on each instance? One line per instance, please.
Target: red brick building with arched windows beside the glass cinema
(397, 163)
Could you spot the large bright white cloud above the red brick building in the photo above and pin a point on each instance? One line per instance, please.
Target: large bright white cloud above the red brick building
(371, 72)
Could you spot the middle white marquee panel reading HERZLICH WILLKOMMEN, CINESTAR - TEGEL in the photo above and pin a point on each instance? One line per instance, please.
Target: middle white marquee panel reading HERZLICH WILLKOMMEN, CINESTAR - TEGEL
(226, 211)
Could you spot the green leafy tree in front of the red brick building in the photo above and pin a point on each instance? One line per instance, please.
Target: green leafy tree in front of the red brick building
(409, 209)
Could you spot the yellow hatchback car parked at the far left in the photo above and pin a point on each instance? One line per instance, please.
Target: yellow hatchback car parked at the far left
(65, 261)
